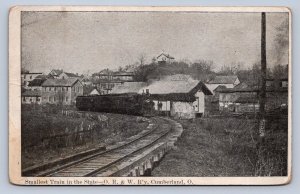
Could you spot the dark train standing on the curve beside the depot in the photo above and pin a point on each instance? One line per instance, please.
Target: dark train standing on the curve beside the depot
(131, 104)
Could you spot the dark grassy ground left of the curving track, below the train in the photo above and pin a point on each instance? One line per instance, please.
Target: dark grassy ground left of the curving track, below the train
(47, 134)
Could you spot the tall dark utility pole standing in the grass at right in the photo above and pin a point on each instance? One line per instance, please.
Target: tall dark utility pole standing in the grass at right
(262, 91)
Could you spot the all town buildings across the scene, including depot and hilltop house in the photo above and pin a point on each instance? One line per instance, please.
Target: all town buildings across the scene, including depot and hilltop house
(178, 95)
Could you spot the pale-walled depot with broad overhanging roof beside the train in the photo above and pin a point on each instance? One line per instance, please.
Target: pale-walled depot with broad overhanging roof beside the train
(178, 96)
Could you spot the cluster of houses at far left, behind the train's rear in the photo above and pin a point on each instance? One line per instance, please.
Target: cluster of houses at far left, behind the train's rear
(59, 87)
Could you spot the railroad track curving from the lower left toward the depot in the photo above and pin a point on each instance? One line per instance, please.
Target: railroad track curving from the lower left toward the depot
(104, 161)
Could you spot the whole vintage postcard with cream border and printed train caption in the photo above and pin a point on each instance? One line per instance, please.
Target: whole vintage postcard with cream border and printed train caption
(149, 95)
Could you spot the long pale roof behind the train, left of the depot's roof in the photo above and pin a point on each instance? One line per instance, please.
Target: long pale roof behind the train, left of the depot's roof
(128, 87)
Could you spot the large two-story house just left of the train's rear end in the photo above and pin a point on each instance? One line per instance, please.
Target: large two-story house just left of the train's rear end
(61, 91)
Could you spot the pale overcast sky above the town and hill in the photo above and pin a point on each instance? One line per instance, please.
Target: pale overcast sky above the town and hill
(91, 41)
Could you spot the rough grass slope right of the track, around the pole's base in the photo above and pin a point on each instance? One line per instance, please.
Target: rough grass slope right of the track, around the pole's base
(227, 147)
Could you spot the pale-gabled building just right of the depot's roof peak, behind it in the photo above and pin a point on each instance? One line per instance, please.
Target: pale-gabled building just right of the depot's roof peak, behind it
(227, 81)
